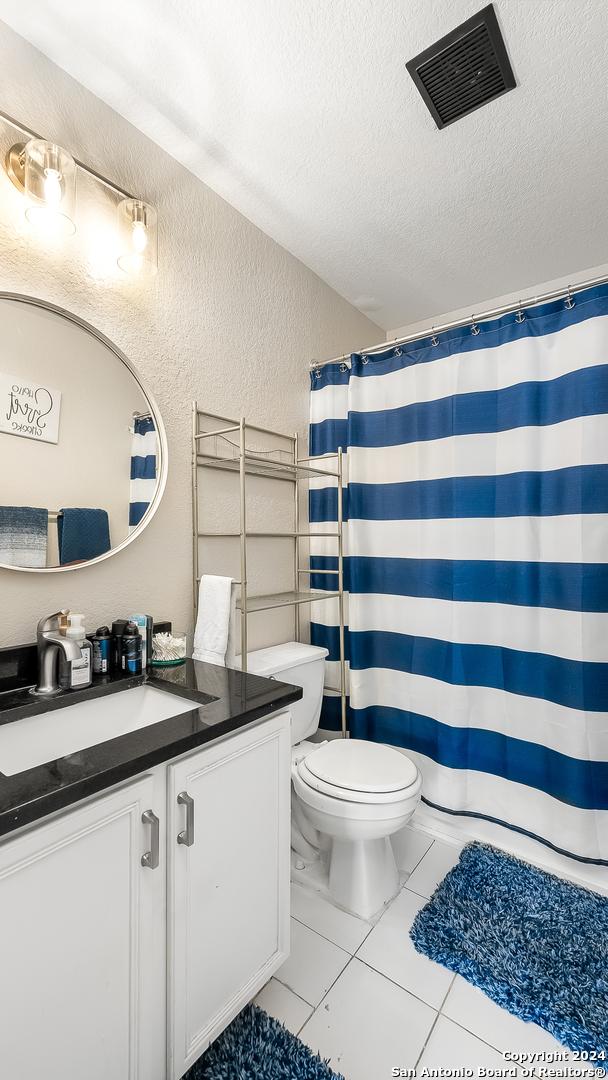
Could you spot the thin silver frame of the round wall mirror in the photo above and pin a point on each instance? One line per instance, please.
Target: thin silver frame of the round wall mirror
(164, 451)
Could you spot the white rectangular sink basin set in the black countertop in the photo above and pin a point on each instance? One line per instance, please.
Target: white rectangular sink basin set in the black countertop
(45, 738)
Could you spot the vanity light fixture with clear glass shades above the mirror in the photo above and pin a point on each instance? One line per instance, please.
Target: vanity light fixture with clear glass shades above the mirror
(47, 175)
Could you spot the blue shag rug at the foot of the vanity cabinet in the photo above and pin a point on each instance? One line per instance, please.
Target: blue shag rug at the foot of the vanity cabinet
(256, 1047)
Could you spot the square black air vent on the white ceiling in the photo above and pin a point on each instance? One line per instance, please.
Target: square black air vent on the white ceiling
(465, 70)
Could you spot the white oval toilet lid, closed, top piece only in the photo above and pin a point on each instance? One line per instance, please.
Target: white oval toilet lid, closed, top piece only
(356, 765)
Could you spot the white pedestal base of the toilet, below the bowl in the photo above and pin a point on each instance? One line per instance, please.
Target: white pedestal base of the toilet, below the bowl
(363, 875)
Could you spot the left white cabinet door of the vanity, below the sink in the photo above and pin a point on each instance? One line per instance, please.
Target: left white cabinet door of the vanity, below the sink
(83, 943)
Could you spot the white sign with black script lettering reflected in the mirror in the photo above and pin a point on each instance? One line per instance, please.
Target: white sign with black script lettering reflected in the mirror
(30, 410)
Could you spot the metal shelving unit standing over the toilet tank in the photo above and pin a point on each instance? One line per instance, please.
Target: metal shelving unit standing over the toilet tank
(295, 470)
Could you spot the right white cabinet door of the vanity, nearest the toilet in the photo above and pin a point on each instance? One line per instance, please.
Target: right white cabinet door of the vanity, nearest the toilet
(228, 842)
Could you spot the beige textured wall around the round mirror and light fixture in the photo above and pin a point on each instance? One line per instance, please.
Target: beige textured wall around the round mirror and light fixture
(232, 319)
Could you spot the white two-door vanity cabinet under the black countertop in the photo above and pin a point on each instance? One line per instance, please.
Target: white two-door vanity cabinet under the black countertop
(137, 925)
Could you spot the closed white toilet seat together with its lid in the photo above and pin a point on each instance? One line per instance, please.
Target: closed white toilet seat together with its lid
(355, 771)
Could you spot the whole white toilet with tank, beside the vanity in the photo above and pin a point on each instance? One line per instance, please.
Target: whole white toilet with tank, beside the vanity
(352, 795)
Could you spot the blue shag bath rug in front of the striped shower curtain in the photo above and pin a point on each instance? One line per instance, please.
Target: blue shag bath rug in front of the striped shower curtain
(536, 946)
